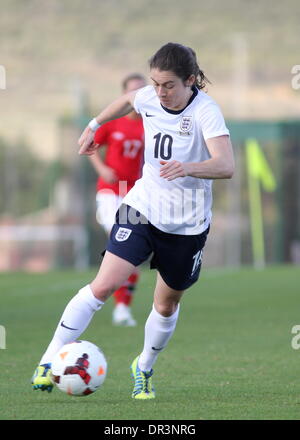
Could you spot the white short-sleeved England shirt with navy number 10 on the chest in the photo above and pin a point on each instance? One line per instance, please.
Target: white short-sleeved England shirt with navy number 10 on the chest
(183, 205)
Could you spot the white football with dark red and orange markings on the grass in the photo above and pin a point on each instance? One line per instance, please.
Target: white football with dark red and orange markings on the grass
(79, 368)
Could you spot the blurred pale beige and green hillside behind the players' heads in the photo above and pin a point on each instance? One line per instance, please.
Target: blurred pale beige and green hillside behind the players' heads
(53, 51)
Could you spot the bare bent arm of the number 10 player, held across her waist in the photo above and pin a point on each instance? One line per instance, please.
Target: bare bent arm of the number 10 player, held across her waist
(220, 165)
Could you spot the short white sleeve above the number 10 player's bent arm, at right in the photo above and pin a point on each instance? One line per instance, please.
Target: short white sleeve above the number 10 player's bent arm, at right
(212, 121)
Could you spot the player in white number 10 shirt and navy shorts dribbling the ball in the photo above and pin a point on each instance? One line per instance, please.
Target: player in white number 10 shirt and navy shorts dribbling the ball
(166, 213)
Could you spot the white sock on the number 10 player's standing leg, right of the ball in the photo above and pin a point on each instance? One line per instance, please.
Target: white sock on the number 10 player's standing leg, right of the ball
(158, 331)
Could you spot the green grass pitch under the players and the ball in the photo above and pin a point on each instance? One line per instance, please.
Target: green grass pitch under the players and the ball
(230, 357)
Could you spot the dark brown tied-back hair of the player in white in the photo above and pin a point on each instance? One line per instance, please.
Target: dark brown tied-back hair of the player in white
(181, 60)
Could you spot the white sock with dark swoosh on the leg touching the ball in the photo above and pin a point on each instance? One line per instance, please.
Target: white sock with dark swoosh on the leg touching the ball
(75, 319)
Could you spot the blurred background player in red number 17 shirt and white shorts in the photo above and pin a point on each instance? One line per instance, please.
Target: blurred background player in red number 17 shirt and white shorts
(121, 167)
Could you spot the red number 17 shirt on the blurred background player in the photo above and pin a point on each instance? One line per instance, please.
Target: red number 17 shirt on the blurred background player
(124, 138)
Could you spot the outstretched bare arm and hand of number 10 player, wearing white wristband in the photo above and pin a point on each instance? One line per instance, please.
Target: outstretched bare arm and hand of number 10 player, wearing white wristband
(118, 108)
